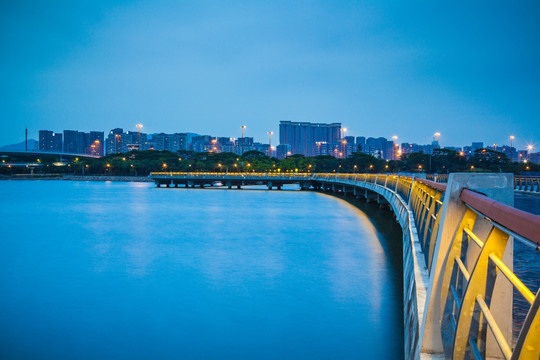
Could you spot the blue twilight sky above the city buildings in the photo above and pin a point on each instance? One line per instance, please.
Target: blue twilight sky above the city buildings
(470, 70)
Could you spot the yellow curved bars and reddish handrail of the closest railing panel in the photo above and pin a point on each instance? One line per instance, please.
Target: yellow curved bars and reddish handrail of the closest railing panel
(506, 221)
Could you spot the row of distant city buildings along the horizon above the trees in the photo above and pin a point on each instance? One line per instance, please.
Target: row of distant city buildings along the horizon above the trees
(308, 139)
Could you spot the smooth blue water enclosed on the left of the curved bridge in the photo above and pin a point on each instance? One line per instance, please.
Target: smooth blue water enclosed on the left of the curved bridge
(93, 270)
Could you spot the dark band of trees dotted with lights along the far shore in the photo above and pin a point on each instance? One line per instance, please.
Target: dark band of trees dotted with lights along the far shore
(141, 163)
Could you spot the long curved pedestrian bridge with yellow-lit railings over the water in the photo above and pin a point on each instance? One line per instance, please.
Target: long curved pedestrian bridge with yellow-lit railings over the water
(458, 241)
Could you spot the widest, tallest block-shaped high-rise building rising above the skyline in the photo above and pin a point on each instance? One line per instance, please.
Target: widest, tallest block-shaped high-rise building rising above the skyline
(302, 137)
